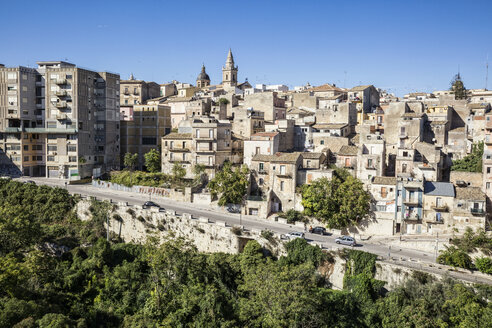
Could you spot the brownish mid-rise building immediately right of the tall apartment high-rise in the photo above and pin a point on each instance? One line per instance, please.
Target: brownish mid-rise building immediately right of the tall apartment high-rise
(144, 132)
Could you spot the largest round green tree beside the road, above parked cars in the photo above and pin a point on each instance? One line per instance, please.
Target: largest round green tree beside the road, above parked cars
(339, 202)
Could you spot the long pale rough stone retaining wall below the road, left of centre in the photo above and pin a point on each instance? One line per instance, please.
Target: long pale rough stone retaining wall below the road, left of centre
(135, 224)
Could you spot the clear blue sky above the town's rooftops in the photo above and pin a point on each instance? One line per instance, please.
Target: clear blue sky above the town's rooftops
(402, 46)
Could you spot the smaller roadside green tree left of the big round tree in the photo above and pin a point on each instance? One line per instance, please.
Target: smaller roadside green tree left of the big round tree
(230, 184)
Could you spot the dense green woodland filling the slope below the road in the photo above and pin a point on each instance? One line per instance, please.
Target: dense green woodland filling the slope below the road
(101, 284)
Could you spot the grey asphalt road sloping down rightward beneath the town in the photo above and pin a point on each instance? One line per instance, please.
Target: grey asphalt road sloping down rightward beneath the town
(406, 257)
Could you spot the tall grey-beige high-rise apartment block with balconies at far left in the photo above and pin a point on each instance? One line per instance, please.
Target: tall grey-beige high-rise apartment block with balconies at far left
(59, 120)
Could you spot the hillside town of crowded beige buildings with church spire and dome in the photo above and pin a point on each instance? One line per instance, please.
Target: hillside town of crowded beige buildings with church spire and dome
(60, 121)
